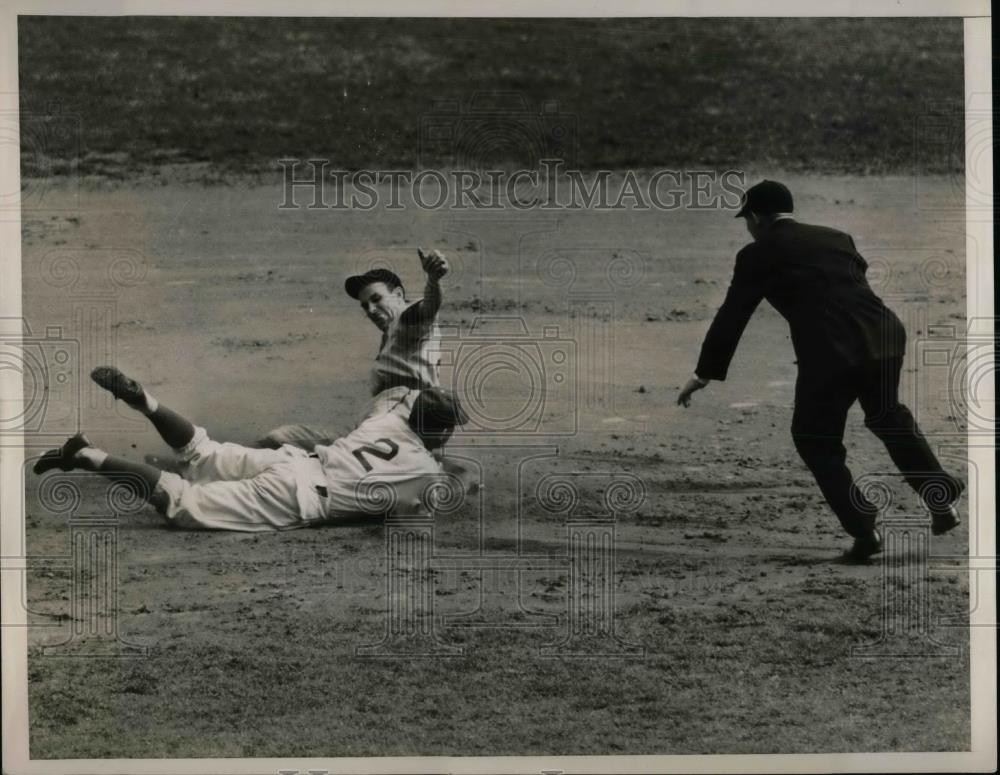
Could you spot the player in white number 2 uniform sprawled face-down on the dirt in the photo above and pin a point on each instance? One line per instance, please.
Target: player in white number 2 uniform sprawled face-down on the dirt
(385, 465)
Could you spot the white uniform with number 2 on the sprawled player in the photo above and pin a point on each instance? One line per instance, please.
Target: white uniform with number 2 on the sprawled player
(381, 466)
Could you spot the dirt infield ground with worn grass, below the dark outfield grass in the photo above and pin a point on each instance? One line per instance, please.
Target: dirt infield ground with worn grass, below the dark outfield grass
(735, 620)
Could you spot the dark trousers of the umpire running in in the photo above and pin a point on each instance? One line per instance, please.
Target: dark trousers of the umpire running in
(821, 406)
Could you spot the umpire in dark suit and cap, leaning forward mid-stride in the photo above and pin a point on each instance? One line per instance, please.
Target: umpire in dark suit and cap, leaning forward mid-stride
(849, 347)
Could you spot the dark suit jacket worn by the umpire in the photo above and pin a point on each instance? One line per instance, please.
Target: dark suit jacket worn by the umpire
(815, 277)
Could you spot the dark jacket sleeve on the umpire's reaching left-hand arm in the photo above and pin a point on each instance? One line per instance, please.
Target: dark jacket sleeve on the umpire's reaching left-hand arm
(745, 293)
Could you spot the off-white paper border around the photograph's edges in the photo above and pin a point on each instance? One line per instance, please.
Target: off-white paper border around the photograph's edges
(980, 305)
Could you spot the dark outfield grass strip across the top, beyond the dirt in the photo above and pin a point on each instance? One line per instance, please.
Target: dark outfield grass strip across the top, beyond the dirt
(820, 95)
